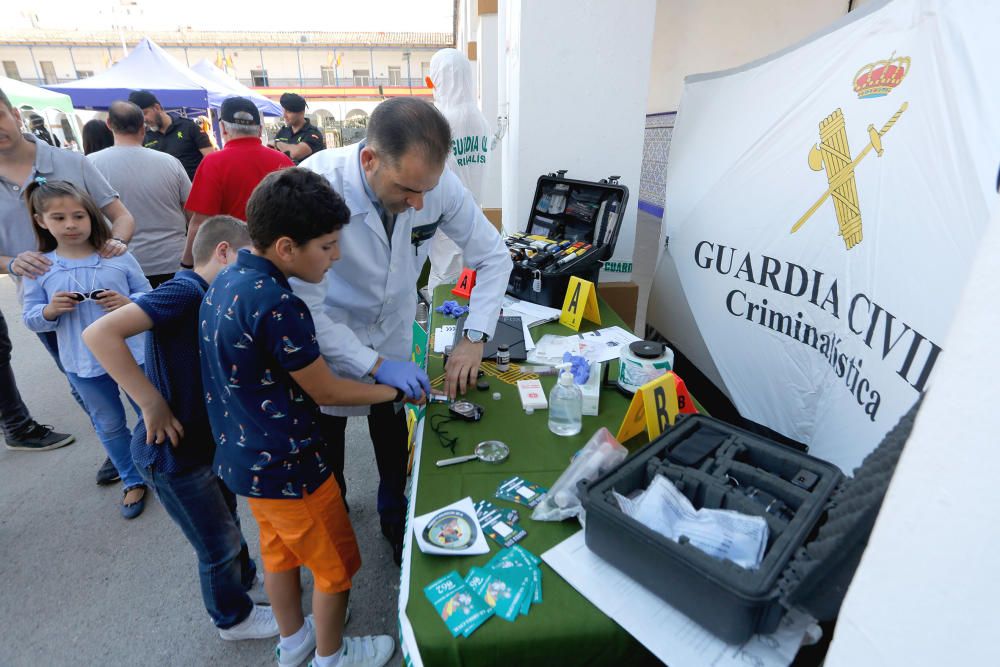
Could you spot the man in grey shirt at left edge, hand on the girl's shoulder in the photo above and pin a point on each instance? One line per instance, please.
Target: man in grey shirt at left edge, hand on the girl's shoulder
(22, 159)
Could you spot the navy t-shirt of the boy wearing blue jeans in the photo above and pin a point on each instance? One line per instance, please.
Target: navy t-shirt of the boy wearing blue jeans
(173, 368)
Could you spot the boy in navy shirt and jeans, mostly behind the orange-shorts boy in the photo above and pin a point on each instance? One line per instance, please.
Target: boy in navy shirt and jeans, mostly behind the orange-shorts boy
(172, 445)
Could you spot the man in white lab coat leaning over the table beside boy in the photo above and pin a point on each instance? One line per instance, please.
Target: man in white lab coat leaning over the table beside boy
(399, 193)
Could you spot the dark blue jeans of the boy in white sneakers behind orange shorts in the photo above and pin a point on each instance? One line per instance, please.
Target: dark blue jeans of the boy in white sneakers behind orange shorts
(205, 510)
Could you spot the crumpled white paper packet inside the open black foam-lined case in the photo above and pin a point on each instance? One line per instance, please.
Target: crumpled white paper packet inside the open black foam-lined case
(723, 534)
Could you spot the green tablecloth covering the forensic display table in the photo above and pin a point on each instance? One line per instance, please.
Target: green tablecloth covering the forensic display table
(565, 629)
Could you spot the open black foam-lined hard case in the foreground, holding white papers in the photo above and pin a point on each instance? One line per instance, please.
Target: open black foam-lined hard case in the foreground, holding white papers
(818, 521)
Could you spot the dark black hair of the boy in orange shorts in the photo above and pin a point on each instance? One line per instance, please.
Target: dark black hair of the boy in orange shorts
(296, 203)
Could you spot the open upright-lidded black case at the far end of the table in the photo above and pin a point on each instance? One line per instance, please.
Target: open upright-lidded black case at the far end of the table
(555, 281)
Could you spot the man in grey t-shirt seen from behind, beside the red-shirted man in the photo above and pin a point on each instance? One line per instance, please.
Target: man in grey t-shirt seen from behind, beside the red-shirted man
(153, 186)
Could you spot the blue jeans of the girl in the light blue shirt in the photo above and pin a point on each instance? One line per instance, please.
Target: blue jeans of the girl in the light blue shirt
(107, 414)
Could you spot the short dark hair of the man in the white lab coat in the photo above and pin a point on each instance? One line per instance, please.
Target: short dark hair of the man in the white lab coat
(401, 124)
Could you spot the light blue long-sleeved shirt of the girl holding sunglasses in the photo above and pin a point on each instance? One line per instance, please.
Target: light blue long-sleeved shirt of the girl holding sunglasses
(121, 274)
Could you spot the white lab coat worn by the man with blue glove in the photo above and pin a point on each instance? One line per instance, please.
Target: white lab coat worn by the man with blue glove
(365, 306)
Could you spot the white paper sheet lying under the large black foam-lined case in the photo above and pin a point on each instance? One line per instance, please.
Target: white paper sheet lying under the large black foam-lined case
(667, 633)
